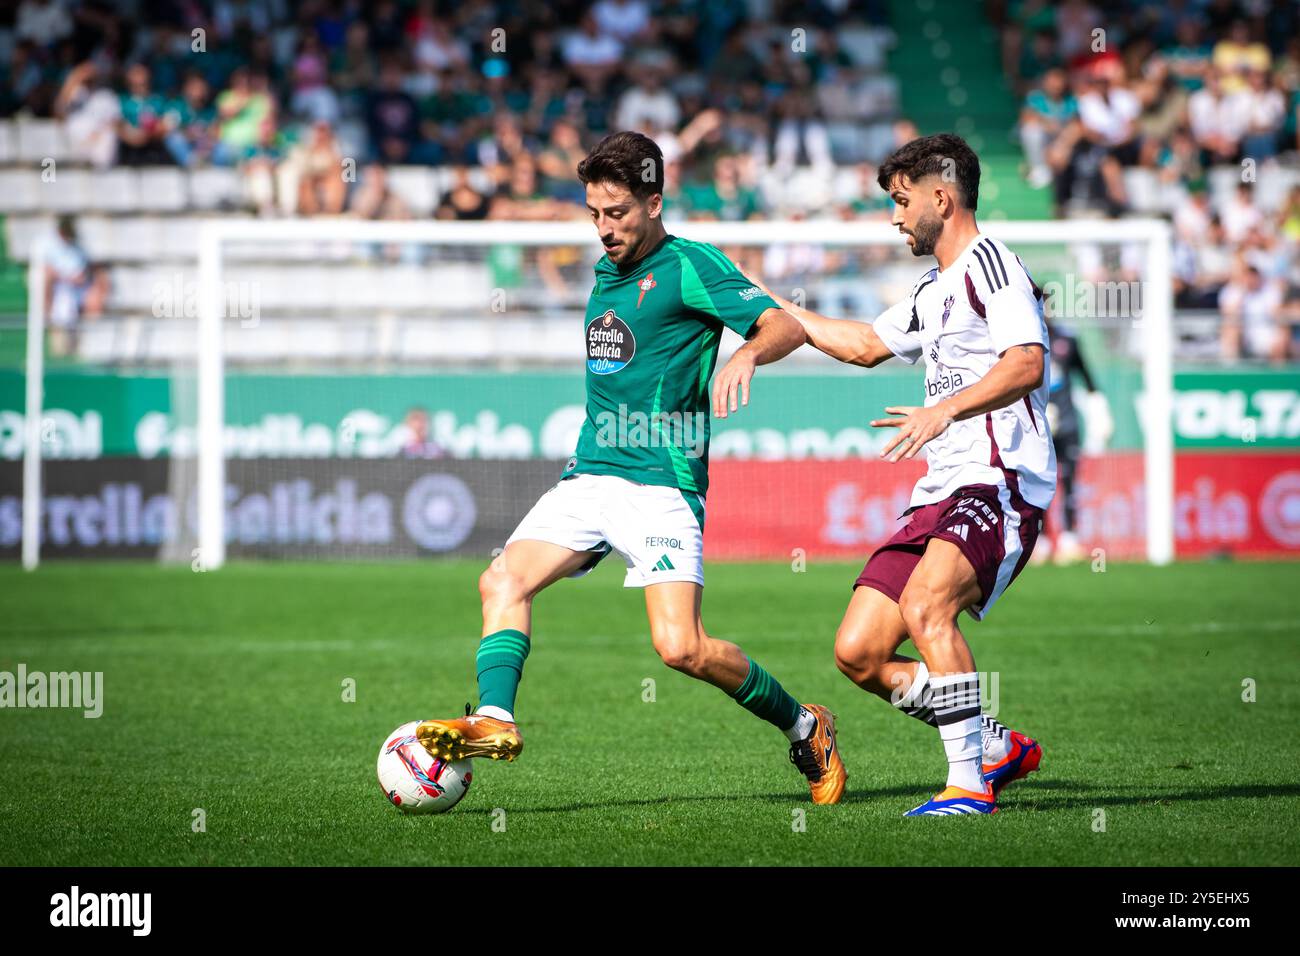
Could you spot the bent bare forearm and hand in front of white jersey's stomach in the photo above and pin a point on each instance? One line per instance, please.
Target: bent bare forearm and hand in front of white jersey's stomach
(1016, 375)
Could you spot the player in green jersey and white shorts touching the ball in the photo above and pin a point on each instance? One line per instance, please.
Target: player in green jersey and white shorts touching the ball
(638, 481)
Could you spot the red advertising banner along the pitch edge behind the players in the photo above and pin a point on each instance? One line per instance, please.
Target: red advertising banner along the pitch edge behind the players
(1246, 505)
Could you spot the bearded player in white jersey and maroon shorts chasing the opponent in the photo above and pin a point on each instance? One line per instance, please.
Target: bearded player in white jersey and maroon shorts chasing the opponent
(977, 322)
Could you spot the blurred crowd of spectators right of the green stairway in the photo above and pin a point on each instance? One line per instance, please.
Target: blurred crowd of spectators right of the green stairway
(1151, 97)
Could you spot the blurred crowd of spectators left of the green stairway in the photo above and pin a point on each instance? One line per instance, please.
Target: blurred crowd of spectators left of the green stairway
(519, 89)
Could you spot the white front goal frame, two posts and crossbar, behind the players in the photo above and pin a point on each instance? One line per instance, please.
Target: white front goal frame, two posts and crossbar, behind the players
(1150, 331)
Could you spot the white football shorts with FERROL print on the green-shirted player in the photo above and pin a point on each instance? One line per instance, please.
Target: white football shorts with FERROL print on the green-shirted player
(658, 531)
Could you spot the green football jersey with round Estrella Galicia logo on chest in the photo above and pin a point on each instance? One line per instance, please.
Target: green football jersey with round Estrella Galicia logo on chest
(652, 344)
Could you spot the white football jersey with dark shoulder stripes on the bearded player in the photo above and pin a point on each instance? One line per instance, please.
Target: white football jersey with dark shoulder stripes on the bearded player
(963, 319)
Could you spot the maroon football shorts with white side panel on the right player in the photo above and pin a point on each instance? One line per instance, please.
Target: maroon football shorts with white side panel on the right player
(994, 527)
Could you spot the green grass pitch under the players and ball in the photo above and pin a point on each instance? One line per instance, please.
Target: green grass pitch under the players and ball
(226, 693)
